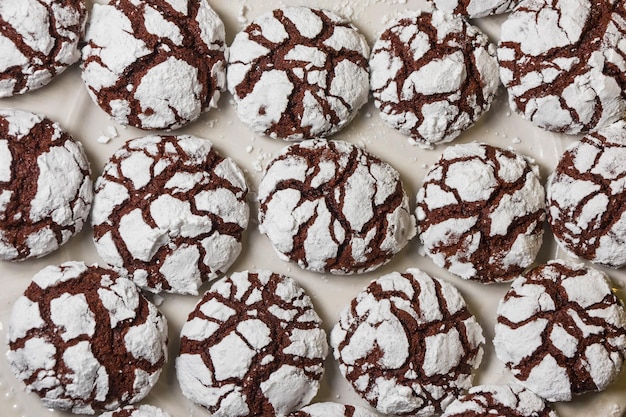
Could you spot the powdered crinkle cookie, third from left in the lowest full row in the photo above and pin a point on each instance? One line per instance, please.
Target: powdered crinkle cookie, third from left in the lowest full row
(408, 344)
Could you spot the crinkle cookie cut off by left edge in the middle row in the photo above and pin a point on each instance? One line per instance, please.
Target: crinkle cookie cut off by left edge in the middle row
(45, 186)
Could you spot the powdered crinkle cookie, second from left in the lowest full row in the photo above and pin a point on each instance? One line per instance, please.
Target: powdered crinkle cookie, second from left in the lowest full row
(253, 346)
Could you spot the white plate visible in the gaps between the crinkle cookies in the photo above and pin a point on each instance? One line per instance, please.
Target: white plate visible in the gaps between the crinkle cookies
(66, 101)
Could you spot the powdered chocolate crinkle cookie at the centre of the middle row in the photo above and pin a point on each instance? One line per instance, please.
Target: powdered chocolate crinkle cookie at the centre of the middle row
(332, 207)
